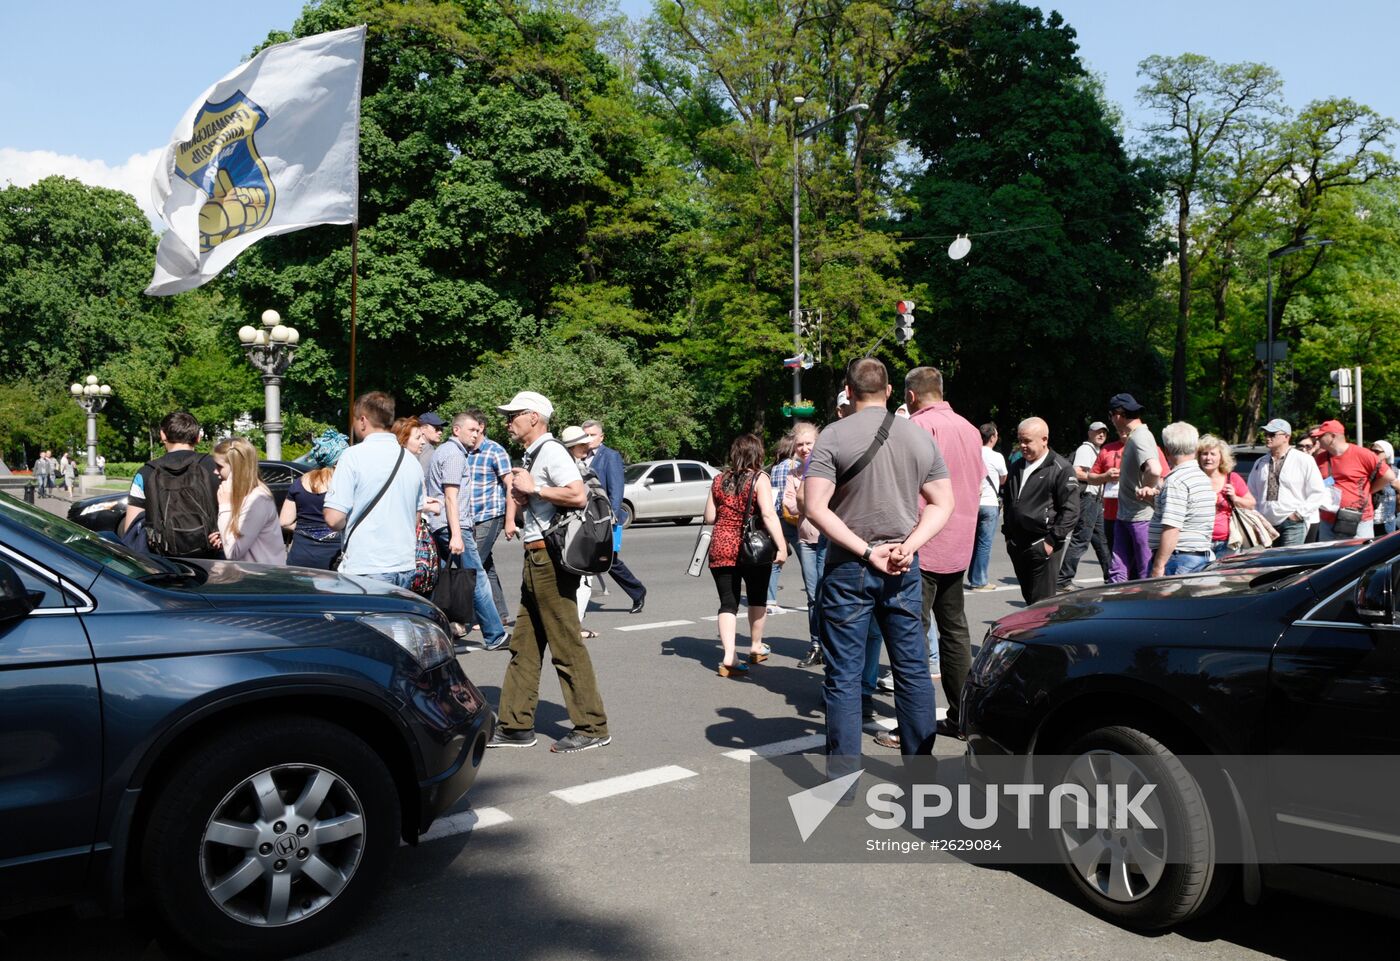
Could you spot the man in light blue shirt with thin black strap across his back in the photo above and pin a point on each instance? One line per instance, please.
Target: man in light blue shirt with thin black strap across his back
(380, 537)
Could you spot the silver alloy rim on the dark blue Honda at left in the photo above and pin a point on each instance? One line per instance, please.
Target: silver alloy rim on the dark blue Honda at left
(282, 845)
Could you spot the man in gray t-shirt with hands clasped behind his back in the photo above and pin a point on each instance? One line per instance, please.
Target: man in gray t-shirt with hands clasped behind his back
(878, 490)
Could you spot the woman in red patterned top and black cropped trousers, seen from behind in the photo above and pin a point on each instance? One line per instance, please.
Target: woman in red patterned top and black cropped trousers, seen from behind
(741, 492)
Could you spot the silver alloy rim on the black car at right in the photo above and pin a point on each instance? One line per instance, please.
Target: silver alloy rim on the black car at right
(1118, 858)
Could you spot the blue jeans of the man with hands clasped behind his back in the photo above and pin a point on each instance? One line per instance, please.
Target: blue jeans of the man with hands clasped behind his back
(853, 596)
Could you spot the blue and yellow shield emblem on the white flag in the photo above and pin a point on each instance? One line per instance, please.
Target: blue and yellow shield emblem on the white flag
(222, 160)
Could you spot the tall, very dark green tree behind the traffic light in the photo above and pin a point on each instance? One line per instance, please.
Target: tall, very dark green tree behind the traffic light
(1018, 149)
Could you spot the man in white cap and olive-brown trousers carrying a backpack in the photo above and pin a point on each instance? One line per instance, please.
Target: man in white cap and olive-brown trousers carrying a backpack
(548, 616)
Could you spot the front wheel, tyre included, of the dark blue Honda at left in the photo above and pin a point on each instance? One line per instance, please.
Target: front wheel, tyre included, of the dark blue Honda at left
(271, 838)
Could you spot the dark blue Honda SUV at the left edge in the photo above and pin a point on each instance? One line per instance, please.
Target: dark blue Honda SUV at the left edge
(246, 746)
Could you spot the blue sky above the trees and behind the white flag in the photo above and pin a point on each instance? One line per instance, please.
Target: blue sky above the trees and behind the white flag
(93, 89)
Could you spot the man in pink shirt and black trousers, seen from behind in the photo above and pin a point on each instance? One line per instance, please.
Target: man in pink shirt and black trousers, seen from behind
(943, 562)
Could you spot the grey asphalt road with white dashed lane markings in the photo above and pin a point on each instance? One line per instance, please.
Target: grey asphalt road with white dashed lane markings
(661, 869)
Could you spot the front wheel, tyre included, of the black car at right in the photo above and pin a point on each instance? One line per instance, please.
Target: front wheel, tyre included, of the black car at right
(1133, 875)
